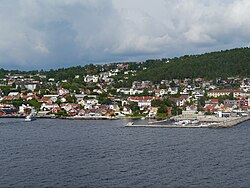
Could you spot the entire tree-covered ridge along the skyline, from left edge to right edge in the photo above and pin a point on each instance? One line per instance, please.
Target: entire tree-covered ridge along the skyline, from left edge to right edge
(228, 63)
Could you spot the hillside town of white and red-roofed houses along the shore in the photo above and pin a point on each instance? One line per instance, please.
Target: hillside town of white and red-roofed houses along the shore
(104, 95)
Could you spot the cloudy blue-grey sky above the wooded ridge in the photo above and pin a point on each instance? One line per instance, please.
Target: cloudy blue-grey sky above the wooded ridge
(50, 34)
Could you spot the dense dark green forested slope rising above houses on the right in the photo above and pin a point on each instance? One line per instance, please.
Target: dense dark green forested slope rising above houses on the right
(235, 62)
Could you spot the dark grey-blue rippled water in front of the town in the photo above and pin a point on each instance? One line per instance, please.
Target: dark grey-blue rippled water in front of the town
(66, 153)
